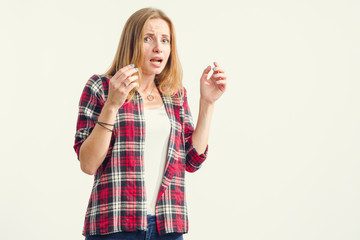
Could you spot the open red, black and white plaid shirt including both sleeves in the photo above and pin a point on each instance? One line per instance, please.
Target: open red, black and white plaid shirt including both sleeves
(118, 198)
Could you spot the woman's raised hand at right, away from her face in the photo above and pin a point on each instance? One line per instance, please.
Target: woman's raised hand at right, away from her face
(211, 89)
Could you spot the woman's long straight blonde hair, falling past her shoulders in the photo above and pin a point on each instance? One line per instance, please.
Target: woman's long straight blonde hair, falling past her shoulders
(130, 51)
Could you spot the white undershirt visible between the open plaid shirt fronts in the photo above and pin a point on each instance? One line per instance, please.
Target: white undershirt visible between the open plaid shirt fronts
(156, 145)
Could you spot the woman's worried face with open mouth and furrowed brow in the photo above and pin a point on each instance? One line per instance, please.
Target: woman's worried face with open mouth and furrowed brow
(156, 47)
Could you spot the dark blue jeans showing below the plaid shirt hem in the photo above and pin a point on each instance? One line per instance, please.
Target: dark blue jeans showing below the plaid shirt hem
(150, 234)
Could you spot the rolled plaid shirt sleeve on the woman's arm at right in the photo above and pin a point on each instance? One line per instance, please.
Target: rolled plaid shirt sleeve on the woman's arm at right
(194, 160)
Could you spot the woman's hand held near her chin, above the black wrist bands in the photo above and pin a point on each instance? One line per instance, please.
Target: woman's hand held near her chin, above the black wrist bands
(120, 85)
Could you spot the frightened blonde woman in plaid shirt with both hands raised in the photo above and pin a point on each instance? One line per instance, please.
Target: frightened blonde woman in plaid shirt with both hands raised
(135, 134)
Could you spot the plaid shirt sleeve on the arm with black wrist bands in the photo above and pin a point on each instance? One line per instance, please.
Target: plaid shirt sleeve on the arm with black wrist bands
(90, 105)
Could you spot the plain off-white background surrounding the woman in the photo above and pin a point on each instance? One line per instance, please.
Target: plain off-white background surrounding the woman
(284, 155)
